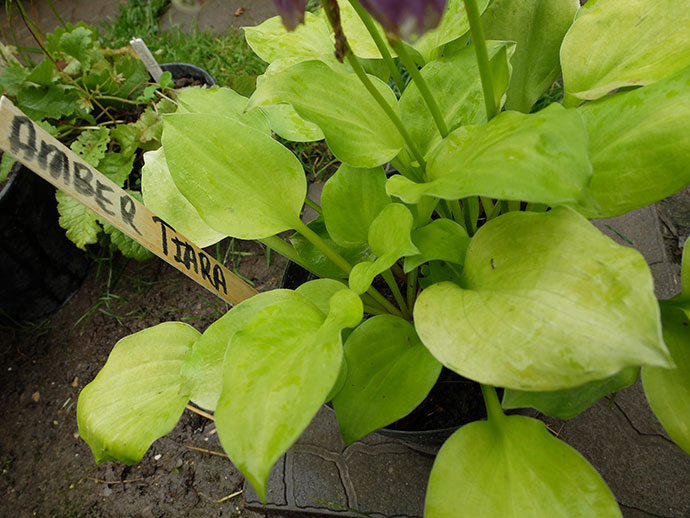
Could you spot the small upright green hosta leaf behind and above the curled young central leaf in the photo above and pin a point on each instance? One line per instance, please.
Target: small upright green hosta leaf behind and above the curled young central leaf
(351, 200)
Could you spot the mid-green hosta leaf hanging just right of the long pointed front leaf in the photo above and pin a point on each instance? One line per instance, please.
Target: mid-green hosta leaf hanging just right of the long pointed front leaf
(389, 373)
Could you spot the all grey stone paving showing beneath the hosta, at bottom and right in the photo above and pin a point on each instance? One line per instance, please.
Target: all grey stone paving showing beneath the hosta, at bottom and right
(382, 477)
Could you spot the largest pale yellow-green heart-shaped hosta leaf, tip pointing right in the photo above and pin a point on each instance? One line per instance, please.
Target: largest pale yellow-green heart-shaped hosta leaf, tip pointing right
(545, 302)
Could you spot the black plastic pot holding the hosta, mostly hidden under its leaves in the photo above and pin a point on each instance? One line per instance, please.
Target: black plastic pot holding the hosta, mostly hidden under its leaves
(294, 275)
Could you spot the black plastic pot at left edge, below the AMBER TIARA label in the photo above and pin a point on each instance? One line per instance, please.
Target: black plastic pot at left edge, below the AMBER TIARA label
(39, 267)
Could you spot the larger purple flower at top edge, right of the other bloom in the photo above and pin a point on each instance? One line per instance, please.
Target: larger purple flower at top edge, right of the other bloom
(406, 18)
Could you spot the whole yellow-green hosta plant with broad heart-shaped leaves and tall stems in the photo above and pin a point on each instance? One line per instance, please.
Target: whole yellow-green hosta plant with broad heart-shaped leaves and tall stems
(479, 231)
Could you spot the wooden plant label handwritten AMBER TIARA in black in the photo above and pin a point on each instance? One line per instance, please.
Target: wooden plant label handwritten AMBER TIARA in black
(46, 156)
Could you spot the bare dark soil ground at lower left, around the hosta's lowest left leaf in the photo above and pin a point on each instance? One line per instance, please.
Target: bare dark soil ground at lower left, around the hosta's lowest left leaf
(46, 470)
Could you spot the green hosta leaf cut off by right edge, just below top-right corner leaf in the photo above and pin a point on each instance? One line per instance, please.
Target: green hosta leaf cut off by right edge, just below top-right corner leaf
(649, 128)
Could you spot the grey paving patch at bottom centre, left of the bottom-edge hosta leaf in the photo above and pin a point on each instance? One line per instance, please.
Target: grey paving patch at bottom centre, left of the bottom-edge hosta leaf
(319, 476)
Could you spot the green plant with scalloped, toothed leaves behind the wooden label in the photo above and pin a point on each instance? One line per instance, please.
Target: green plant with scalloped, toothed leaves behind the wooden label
(98, 101)
